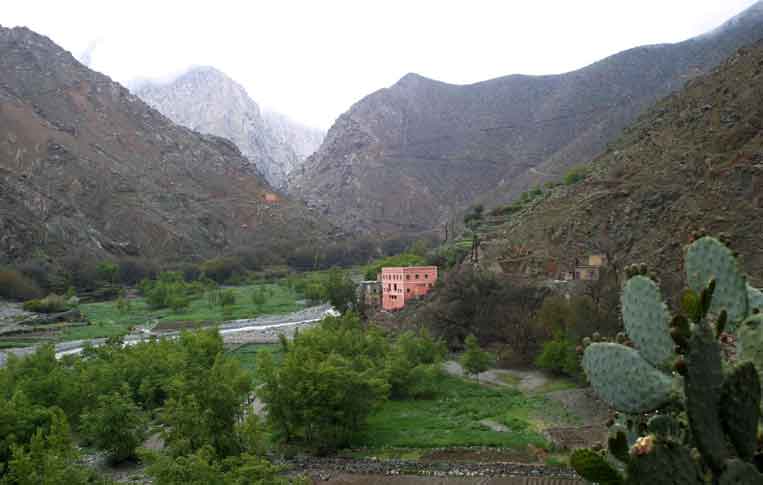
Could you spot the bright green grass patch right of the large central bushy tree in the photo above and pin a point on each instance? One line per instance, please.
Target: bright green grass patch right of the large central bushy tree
(452, 419)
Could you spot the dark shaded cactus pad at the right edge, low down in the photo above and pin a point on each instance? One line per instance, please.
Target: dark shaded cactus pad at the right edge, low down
(740, 409)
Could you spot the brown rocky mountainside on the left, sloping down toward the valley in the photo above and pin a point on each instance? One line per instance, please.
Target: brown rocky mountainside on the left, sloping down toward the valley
(86, 165)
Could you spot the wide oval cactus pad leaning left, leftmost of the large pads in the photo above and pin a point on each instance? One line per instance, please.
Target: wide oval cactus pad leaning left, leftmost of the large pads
(624, 379)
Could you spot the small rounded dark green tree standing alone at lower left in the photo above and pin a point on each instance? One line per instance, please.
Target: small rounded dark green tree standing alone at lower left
(116, 425)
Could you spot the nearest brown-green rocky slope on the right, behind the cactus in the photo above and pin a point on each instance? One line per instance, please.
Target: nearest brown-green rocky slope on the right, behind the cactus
(693, 161)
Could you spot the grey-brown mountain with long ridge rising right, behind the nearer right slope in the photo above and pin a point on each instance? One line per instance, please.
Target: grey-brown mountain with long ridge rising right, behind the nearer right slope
(406, 157)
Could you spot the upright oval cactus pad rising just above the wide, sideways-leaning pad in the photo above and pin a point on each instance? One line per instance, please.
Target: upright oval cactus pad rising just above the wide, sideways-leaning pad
(647, 320)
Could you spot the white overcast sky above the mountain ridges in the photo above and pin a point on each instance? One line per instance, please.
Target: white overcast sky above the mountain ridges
(311, 59)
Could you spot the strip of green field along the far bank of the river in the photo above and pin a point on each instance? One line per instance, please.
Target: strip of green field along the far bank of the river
(107, 319)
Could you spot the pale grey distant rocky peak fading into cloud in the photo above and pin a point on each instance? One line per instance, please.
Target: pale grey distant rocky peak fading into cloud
(206, 100)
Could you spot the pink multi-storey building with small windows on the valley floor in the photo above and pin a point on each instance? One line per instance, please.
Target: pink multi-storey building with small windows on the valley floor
(402, 284)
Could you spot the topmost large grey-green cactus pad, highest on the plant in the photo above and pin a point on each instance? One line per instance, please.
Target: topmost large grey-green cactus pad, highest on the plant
(707, 259)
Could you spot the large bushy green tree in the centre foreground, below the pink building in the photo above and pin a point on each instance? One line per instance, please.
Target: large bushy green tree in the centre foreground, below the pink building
(327, 384)
